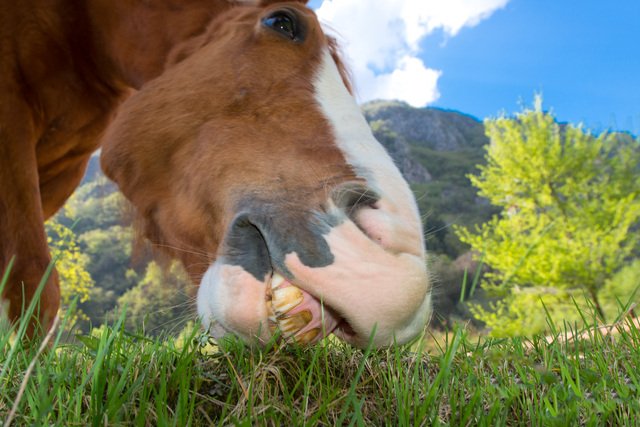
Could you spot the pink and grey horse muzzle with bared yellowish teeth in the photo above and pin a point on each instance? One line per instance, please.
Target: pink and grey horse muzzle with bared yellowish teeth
(354, 268)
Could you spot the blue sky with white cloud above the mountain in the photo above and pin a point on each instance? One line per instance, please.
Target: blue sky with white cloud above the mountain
(488, 57)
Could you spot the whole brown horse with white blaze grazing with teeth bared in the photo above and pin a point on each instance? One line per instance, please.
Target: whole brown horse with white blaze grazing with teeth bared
(242, 151)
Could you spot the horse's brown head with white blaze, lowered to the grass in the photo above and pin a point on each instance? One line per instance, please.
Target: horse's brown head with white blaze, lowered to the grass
(249, 160)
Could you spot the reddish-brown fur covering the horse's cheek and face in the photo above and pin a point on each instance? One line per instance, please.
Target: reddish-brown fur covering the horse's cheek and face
(185, 161)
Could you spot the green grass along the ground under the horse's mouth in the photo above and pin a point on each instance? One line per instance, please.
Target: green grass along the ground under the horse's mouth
(116, 378)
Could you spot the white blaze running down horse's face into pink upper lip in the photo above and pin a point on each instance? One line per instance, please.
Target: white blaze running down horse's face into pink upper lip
(379, 279)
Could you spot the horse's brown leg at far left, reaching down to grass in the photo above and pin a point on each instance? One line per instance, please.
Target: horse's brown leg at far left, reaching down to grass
(22, 234)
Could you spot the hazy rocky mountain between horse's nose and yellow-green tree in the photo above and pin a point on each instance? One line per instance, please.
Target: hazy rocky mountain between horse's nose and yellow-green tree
(435, 150)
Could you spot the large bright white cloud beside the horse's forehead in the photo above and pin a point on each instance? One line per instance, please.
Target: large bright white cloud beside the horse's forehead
(381, 41)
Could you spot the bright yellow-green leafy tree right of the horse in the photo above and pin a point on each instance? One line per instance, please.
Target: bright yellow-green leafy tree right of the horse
(570, 206)
